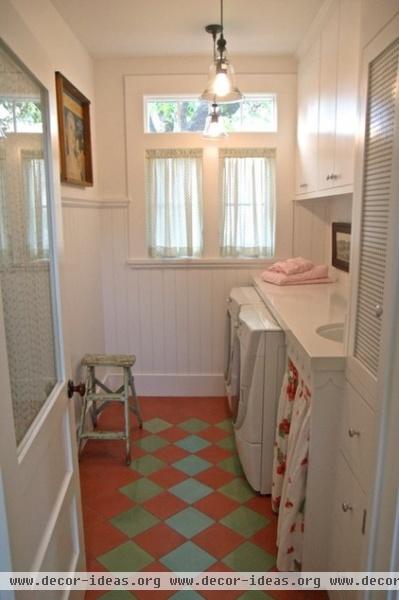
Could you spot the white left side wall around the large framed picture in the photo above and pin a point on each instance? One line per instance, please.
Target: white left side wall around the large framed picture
(35, 32)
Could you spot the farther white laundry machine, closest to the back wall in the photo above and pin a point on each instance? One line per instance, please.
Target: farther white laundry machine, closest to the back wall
(238, 297)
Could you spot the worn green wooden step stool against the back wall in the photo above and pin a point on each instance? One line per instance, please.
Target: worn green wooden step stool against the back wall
(98, 401)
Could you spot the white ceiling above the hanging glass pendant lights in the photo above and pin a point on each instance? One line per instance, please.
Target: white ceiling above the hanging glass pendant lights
(115, 28)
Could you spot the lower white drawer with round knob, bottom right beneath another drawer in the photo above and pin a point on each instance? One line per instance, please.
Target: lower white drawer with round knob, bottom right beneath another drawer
(348, 521)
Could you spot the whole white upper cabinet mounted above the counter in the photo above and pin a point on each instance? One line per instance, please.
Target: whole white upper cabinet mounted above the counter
(325, 160)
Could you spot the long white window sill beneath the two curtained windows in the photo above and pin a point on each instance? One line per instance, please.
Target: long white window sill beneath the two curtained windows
(199, 263)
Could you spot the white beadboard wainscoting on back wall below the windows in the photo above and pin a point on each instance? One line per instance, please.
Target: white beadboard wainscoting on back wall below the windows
(171, 318)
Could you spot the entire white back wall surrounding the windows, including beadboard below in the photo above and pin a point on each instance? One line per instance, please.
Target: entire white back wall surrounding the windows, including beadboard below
(172, 318)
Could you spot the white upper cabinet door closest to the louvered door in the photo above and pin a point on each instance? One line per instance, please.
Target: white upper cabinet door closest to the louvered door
(347, 80)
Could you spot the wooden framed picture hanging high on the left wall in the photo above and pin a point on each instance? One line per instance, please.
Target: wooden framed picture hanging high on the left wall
(74, 132)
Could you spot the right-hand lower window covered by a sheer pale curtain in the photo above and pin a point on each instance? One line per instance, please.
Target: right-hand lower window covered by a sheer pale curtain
(248, 202)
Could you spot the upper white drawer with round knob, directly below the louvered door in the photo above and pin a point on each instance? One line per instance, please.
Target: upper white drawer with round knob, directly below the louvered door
(357, 436)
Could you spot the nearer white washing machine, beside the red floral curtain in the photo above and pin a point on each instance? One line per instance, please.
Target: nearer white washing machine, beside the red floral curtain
(256, 375)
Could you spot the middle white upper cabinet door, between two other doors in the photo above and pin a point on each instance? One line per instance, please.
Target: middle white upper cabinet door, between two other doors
(328, 91)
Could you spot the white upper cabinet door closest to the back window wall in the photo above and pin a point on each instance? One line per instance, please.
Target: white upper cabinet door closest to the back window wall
(308, 116)
